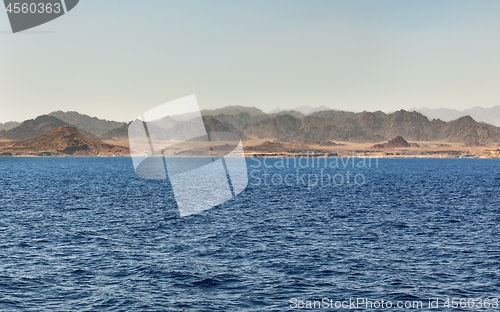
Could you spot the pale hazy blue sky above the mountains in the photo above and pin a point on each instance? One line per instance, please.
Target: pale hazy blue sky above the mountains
(115, 59)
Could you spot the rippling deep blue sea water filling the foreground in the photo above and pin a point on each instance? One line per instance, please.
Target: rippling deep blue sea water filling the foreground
(86, 234)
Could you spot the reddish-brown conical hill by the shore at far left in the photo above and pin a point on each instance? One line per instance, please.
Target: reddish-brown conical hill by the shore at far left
(66, 140)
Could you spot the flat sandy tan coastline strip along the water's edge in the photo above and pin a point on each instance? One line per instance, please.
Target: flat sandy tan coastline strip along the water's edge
(271, 148)
